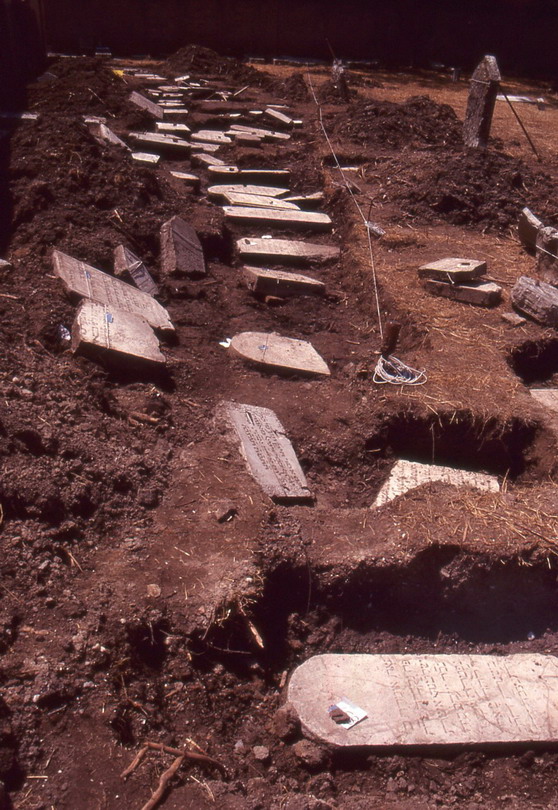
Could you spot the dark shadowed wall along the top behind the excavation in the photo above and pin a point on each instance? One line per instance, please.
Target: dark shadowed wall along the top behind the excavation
(522, 33)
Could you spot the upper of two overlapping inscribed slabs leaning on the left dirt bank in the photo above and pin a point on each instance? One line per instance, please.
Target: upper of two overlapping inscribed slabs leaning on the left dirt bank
(84, 281)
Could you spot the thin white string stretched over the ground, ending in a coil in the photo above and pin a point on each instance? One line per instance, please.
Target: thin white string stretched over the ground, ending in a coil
(388, 369)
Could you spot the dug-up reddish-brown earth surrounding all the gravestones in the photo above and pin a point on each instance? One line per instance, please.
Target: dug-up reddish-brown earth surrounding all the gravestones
(128, 612)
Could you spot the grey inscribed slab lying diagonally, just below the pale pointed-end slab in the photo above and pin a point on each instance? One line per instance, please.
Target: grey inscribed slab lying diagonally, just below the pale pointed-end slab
(268, 452)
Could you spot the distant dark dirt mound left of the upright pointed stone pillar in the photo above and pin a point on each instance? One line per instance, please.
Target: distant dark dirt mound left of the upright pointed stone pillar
(418, 120)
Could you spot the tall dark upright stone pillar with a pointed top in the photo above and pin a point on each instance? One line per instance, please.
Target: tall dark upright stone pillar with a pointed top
(485, 84)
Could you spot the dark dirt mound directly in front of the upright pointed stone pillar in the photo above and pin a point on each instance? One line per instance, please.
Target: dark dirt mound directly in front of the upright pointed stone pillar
(475, 188)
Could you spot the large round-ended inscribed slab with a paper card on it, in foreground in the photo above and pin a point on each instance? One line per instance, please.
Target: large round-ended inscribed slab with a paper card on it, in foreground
(405, 700)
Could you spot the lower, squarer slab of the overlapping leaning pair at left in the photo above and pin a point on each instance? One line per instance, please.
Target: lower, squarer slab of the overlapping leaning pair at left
(100, 327)
